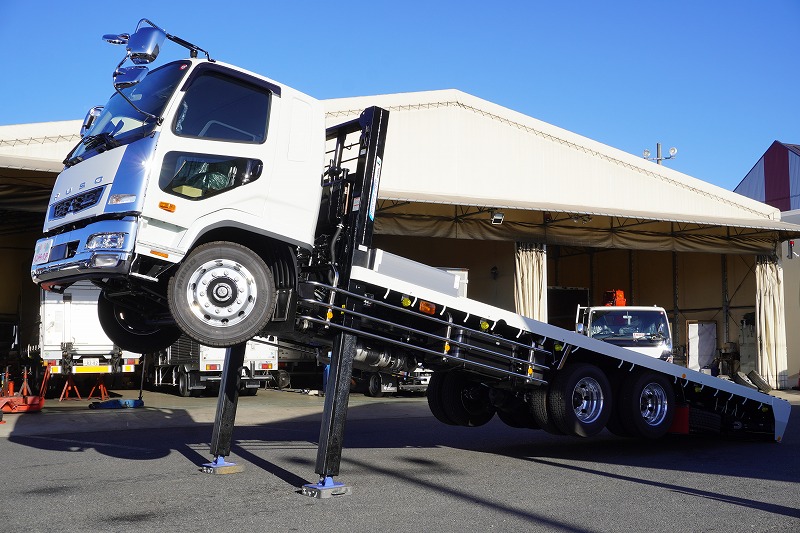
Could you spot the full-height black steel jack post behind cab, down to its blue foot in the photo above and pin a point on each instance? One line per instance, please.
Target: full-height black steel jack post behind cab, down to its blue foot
(357, 238)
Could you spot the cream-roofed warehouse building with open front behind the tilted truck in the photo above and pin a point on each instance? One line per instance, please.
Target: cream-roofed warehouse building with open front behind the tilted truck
(528, 209)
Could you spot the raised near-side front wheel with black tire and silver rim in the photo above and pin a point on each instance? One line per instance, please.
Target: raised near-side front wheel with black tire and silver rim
(222, 294)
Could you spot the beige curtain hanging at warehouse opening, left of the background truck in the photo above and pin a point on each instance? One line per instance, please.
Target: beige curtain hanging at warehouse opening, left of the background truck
(530, 281)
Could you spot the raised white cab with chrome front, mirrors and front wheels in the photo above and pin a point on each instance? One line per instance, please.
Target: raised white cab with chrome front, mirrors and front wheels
(187, 200)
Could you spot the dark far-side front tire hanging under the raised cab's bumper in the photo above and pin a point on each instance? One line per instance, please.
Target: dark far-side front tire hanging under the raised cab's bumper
(128, 329)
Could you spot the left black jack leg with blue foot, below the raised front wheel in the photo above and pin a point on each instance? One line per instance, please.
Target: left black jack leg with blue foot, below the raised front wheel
(226, 413)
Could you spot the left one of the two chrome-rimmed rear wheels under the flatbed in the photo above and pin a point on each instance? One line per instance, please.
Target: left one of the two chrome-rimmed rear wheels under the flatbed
(579, 400)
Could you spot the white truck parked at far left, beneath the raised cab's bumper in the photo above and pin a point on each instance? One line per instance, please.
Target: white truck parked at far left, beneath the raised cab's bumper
(71, 340)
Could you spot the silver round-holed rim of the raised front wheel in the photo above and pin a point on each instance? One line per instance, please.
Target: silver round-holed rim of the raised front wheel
(221, 292)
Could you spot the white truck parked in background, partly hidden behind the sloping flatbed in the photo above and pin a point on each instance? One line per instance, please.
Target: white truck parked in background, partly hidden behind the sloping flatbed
(642, 329)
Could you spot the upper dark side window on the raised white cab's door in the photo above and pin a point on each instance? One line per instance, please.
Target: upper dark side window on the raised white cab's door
(218, 107)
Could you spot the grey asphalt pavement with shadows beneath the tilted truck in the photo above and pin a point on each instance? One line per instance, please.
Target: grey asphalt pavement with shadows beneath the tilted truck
(72, 468)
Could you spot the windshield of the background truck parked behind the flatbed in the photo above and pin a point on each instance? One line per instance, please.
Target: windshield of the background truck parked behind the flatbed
(641, 327)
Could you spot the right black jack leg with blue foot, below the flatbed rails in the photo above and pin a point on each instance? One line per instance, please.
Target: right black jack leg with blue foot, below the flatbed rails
(334, 415)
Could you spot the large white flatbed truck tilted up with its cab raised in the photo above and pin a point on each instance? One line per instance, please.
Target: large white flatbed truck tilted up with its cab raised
(199, 201)
